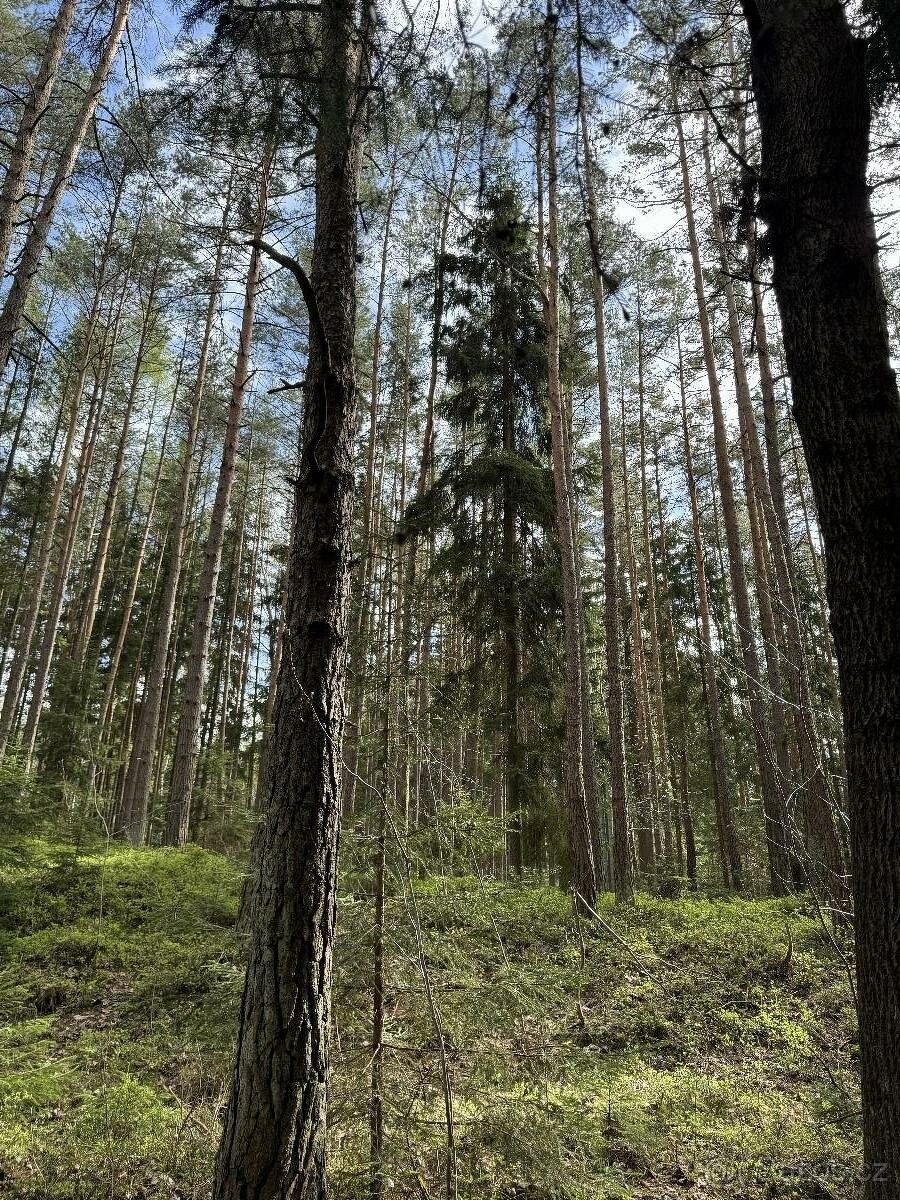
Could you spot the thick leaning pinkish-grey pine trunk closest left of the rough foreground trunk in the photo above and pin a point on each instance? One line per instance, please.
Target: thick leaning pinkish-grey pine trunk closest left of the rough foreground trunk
(178, 823)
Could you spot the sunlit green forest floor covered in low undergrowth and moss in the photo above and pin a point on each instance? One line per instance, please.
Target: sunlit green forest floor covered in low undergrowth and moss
(682, 1048)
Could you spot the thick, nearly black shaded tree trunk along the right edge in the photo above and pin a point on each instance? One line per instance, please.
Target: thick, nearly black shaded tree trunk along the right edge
(811, 86)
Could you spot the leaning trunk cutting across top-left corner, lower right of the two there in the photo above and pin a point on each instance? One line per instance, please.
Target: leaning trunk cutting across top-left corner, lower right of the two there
(13, 314)
